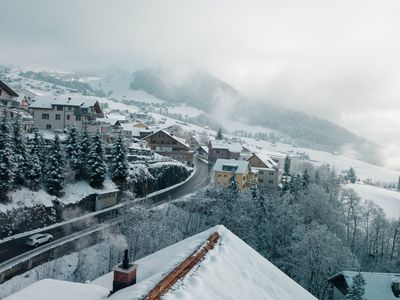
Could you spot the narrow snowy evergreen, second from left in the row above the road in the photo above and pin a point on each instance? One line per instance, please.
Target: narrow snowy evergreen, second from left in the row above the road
(20, 152)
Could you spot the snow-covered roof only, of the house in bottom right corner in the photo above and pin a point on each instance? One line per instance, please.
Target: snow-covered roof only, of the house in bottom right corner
(377, 285)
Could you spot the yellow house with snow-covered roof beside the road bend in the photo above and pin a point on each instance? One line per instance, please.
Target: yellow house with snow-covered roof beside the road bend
(225, 169)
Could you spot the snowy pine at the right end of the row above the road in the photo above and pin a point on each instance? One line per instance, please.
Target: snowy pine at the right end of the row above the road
(119, 165)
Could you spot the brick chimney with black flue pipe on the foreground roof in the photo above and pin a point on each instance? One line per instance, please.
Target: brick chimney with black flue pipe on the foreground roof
(124, 274)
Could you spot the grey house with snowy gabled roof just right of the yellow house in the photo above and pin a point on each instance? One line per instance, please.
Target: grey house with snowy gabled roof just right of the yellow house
(269, 174)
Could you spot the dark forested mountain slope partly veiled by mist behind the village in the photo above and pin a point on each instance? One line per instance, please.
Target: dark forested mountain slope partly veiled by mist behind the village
(202, 90)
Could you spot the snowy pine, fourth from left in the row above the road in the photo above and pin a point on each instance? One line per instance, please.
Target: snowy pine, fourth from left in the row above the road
(54, 173)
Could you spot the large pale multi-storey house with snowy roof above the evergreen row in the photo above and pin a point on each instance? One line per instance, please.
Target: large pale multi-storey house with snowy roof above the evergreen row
(50, 113)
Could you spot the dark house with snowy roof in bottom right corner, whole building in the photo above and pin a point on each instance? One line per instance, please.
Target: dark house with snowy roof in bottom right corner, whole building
(377, 285)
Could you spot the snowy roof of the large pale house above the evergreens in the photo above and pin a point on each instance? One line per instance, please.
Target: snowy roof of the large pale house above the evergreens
(47, 102)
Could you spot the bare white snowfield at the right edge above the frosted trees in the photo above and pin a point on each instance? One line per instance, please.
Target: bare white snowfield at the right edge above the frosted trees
(389, 200)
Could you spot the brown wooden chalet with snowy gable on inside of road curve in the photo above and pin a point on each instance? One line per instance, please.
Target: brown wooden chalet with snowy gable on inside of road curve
(167, 144)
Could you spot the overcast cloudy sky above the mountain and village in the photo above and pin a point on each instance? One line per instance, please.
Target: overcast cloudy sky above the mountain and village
(336, 59)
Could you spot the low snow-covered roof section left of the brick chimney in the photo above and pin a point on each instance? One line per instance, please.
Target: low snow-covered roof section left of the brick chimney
(49, 289)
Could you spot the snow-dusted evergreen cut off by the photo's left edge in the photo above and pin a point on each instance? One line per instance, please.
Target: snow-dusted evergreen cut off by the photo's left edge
(7, 163)
